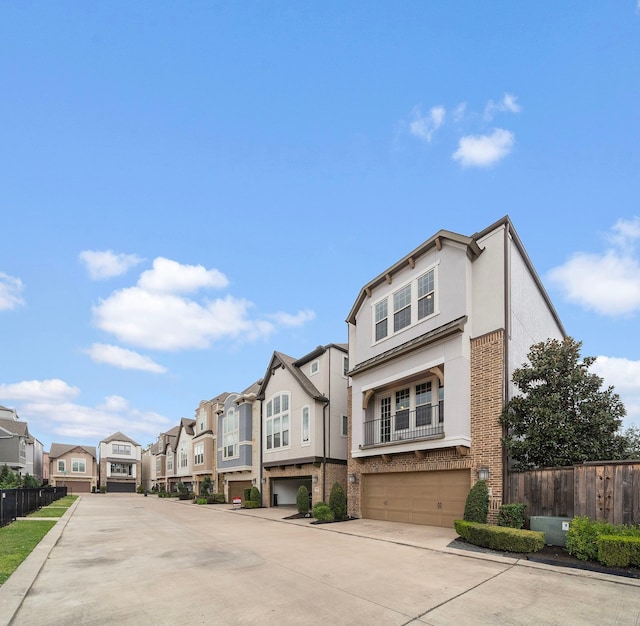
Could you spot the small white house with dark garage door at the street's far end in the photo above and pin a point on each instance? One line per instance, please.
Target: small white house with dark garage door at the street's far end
(120, 464)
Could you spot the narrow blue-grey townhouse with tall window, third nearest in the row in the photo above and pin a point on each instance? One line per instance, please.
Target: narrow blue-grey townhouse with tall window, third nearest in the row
(239, 443)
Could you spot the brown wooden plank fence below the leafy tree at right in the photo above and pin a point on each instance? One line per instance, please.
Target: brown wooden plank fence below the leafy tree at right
(602, 491)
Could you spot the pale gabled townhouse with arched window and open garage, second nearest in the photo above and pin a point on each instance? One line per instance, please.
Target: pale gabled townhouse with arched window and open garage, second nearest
(304, 424)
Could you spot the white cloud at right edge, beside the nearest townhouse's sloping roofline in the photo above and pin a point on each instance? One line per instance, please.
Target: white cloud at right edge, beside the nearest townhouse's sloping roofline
(616, 271)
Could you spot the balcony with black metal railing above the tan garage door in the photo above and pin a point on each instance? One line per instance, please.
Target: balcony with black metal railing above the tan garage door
(423, 423)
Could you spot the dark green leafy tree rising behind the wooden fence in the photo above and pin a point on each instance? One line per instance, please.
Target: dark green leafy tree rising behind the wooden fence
(563, 415)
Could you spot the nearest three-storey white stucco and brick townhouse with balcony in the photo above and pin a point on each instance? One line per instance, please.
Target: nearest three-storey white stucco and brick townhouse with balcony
(433, 342)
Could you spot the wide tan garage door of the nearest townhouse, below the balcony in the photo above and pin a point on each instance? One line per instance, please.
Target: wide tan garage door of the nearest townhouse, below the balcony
(431, 498)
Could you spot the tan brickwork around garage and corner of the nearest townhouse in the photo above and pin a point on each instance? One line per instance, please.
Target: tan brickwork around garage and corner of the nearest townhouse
(486, 446)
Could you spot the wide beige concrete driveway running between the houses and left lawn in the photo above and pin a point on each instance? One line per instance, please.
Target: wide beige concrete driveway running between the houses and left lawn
(127, 559)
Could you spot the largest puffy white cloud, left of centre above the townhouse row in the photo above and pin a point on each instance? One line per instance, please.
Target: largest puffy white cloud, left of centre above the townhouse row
(161, 311)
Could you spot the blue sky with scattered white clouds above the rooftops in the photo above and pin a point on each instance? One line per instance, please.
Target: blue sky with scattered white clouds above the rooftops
(186, 187)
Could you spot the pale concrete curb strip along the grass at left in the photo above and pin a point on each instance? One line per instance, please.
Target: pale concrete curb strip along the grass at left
(14, 590)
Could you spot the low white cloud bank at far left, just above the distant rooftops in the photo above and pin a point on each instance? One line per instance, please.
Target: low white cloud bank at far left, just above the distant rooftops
(51, 413)
